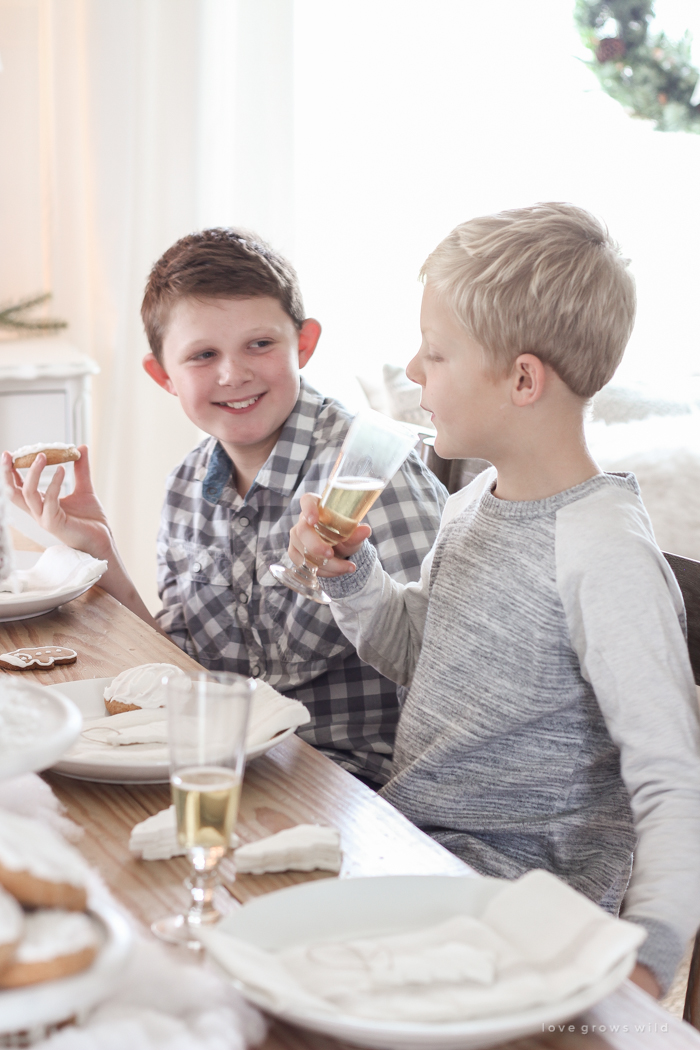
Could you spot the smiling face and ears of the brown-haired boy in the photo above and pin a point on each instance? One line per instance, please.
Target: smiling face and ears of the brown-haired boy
(235, 365)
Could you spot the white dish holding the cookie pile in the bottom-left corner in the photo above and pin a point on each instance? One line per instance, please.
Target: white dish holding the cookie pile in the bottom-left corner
(55, 1001)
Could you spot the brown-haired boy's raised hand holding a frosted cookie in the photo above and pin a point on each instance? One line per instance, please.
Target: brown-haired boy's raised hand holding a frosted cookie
(77, 520)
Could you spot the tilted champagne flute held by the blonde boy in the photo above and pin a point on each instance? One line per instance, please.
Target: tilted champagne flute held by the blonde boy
(374, 450)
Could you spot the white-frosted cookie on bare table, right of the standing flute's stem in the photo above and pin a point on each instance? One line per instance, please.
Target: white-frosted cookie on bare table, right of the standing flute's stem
(306, 848)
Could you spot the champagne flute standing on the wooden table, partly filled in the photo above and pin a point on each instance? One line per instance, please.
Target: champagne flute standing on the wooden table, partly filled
(207, 725)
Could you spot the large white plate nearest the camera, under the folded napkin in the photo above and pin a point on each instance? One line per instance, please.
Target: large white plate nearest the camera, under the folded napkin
(335, 909)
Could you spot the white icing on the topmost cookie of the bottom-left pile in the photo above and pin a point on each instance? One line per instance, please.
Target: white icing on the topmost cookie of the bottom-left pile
(29, 846)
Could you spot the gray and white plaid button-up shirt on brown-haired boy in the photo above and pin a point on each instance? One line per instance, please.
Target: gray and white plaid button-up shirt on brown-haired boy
(222, 605)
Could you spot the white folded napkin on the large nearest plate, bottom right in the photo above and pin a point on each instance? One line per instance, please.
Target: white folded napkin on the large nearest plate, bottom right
(538, 941)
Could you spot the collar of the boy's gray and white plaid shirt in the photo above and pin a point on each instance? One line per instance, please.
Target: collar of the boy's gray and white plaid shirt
(281, 472)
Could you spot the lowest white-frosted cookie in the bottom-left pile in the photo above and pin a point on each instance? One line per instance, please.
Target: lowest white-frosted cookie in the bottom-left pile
(55, 944)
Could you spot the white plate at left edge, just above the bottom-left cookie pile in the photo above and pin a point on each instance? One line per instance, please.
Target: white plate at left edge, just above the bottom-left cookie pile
(61, 723)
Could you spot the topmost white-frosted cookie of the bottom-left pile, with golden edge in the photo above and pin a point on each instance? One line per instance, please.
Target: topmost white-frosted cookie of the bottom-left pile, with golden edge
(39, 868)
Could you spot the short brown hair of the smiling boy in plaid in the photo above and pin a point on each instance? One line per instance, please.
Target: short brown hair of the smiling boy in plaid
(219, 264)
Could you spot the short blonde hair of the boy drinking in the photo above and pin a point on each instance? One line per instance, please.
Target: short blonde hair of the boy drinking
(547, 281)
